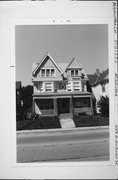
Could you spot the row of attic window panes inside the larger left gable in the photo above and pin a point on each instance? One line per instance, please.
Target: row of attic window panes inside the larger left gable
(48, 72)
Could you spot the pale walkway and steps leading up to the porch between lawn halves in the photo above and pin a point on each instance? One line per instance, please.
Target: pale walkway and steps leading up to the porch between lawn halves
(66, 121)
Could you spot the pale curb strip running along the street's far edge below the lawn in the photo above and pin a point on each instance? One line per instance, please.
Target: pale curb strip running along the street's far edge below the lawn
(60, 130)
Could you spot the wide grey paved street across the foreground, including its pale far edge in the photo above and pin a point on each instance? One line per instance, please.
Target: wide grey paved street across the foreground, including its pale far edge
(76, 145)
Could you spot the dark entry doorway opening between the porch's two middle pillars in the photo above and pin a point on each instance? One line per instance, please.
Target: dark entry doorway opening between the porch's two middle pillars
(63, 105)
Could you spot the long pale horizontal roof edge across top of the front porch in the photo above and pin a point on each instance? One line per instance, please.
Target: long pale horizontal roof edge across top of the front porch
(61, 94)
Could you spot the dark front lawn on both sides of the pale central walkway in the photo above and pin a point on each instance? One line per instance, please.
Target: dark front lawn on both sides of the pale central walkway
(50, 122)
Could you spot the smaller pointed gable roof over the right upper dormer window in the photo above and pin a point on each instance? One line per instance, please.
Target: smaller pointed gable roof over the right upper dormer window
(74, 64)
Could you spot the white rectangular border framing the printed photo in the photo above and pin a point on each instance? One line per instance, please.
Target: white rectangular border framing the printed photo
(64, 21)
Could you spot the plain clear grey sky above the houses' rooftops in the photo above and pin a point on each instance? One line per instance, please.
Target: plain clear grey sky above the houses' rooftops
(87, 43)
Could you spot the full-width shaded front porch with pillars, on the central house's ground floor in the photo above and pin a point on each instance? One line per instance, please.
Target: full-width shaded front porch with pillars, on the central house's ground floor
(57, 104)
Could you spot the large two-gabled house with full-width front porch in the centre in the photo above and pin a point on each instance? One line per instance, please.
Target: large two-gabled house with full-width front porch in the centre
(60, 88)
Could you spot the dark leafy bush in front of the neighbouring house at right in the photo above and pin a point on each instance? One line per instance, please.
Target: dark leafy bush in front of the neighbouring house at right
(103, 104)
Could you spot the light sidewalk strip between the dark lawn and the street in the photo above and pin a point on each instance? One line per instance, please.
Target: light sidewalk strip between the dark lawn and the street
(59, 130)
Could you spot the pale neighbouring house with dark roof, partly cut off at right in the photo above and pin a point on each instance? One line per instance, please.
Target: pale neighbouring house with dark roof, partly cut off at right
(100, 84)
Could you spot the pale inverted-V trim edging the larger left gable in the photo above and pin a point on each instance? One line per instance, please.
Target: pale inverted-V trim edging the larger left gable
(43, 60)
